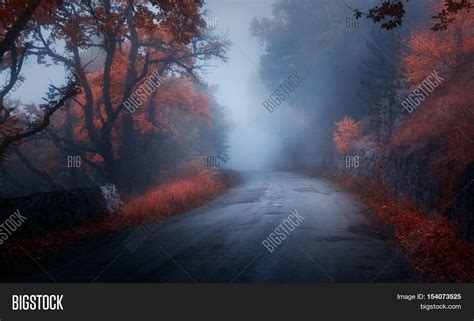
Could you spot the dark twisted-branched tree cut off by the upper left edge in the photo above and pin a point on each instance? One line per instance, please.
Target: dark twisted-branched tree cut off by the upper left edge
(17, 19)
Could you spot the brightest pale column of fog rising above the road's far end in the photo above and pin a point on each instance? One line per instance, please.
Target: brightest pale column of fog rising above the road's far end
(240, 90)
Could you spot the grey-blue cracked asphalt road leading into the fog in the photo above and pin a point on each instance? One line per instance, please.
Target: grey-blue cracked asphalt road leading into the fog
(222, 241)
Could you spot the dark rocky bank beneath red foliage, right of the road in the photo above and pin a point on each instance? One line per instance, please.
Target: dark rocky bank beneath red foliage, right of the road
(406, 172)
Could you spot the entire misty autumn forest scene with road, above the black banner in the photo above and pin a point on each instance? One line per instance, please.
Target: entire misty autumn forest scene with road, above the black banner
(236, 141)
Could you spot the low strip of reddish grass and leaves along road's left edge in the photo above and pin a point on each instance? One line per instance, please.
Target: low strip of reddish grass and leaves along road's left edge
(174, 197)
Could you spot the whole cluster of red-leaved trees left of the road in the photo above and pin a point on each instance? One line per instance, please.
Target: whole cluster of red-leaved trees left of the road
(112, 48)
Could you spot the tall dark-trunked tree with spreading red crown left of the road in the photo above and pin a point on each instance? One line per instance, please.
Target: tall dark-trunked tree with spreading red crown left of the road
(127, 41)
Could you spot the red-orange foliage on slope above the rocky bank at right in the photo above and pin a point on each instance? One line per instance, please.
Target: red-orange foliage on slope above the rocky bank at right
(445, 117)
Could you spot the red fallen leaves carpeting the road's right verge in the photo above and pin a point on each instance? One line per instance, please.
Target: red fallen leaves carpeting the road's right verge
(431, 243)
